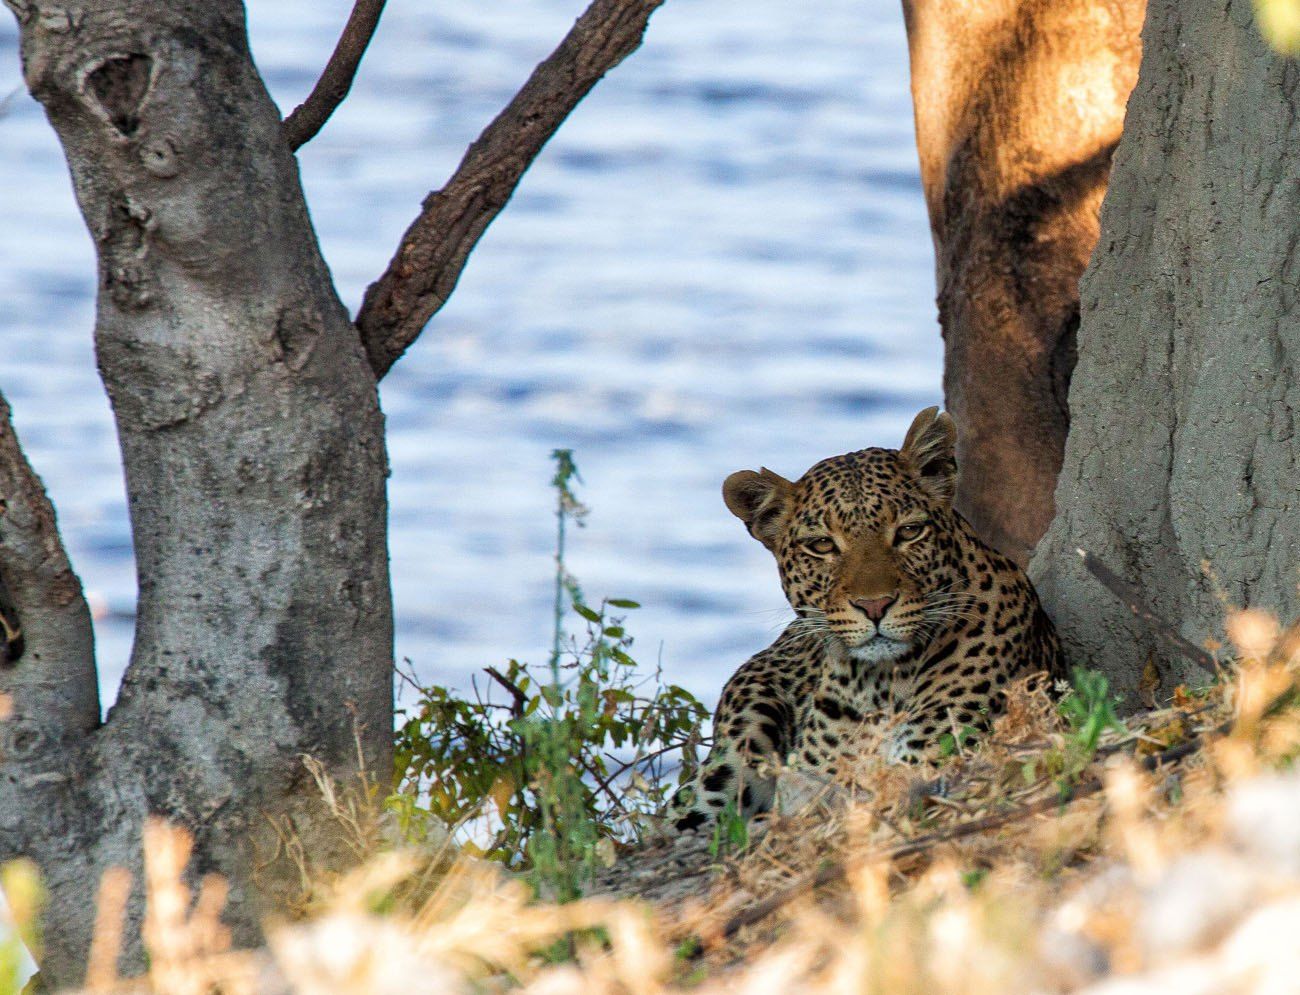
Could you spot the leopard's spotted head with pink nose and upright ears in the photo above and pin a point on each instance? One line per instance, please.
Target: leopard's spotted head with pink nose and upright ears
(866, 543)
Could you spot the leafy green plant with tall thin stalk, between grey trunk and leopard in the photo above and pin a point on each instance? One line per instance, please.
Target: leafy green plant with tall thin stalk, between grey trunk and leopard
(571, 763)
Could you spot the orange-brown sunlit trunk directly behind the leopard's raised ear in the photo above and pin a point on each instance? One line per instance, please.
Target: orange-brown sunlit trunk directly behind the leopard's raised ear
(1019, 105)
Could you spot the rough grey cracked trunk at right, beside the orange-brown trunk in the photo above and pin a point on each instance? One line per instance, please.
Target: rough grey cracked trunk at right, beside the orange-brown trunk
(1181, 465)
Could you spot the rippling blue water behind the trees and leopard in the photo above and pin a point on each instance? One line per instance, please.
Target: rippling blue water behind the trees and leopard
(722, 262)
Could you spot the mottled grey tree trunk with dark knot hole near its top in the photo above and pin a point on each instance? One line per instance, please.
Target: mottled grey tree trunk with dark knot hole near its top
(255, 470)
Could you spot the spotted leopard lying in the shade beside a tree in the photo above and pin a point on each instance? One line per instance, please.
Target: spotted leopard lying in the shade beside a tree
(909, 628)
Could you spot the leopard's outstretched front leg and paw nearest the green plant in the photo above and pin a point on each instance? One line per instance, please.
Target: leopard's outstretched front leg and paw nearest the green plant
(755, 723)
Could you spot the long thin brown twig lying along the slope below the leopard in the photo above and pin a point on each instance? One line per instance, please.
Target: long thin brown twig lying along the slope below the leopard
(837, 872)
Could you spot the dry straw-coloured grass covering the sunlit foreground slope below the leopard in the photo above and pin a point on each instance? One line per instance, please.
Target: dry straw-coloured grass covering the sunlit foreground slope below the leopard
(1185, 877)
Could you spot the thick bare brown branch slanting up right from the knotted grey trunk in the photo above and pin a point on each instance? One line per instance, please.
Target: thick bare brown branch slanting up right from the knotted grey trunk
(436, 248)
